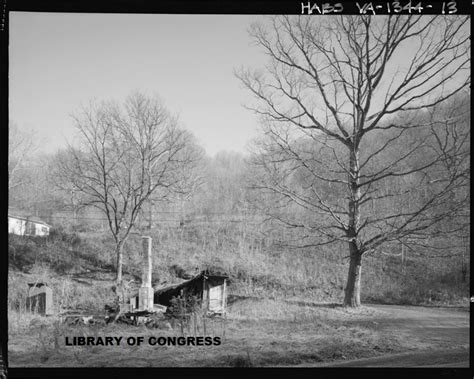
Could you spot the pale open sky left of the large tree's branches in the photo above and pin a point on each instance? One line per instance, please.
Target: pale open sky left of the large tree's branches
(60, 60)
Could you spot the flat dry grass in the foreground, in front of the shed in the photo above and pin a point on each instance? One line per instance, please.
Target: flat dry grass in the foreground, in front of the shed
(255, 333)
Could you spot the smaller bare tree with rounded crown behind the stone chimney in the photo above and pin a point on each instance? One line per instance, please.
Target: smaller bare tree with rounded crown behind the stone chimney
(125, 155)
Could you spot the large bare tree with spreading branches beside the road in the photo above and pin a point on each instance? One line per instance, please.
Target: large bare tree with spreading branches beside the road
(338, 99)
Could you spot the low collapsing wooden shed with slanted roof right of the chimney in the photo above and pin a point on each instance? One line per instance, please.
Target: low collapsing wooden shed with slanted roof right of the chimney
(210, 288)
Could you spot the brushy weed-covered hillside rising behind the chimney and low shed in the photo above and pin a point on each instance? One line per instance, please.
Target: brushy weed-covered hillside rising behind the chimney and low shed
(80, 268)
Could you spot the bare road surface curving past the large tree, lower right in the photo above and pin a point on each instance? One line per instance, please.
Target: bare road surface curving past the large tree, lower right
(434, 337)
